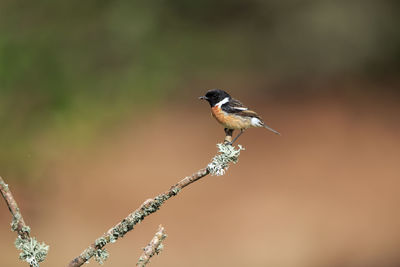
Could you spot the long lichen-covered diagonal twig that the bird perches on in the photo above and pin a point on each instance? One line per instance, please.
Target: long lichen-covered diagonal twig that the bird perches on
(218, 166)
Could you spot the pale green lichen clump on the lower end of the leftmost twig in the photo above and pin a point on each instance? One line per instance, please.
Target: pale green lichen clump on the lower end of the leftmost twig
(33, 252)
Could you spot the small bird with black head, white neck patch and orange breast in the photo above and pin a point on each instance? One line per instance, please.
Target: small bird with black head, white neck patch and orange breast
(232, 114)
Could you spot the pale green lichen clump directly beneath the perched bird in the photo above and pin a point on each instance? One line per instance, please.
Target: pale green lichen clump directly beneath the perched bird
(220, 163)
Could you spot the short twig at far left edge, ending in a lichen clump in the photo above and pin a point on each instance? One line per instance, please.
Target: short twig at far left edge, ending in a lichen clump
(33, 252)
